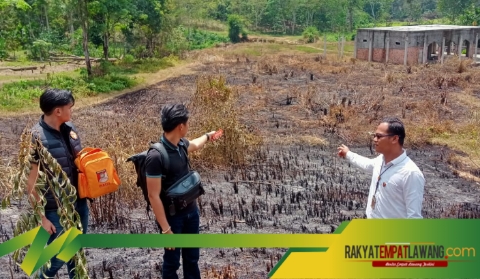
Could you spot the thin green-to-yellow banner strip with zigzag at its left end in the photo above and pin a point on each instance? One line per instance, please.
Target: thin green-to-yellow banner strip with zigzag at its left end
(71, 241)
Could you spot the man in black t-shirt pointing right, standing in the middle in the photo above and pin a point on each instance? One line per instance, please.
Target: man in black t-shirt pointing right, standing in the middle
(175, 127)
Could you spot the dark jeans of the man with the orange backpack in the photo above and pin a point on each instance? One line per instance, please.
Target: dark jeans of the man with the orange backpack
(52, 216)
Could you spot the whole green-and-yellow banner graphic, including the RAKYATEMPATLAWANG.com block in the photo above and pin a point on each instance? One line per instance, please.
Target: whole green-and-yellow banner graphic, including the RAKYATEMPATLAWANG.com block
(457, 238)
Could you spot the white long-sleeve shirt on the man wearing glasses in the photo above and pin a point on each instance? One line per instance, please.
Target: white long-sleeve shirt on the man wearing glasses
(400, 190)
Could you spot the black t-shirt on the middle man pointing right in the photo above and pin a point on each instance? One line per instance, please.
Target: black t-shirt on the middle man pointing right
(178, 165)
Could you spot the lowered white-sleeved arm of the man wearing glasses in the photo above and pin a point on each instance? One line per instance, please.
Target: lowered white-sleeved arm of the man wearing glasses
(413, 194)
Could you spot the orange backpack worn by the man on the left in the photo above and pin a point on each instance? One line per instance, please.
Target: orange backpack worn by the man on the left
(97, 175)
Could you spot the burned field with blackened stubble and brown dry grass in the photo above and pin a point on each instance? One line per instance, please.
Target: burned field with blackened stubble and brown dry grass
(294, 110)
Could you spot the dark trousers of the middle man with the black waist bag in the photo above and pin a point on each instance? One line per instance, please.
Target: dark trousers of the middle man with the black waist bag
(183, 223)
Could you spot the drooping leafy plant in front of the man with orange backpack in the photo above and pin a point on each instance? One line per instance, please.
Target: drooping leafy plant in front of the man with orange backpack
(54, 180)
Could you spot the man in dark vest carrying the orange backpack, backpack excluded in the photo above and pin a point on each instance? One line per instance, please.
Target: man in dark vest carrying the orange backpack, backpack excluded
(60, 138)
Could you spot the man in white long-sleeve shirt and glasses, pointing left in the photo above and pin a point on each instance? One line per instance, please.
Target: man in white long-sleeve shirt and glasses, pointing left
(396, 189)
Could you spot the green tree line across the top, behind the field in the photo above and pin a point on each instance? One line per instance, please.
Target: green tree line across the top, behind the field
(156, 28)
